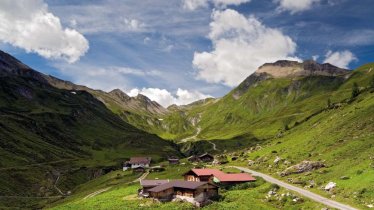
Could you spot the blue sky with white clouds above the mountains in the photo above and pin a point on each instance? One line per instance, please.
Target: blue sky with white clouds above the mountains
(179, 51)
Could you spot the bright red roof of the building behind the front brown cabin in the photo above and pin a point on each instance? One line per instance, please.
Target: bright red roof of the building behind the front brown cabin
(224, 177)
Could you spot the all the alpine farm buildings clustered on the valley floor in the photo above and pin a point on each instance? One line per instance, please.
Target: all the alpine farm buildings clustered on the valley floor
(197, 187)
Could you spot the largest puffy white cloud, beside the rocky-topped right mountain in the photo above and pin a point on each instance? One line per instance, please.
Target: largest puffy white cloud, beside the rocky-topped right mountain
(240, 45)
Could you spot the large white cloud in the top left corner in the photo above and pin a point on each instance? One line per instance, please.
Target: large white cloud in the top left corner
(29, 25)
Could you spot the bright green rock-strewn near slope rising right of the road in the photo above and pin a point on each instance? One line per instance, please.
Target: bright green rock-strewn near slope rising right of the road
(341, 136)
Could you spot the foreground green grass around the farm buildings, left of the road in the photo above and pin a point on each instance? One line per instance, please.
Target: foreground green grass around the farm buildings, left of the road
(123, 196)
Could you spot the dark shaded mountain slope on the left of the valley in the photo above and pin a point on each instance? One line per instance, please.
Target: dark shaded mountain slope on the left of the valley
(49, 134)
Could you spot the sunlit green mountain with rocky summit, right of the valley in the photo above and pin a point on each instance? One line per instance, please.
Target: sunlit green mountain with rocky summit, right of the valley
(279, 123)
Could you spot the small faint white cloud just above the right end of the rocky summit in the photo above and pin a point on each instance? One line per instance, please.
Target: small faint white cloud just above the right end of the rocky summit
(341, 59)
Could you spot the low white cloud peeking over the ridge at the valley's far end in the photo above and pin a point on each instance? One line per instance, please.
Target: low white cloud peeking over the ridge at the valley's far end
(165, 98)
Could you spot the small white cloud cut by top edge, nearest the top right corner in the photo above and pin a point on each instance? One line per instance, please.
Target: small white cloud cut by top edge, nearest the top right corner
(295, 6)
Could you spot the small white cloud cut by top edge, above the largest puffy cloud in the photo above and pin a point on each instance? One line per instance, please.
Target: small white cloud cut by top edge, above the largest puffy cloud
(195, 4)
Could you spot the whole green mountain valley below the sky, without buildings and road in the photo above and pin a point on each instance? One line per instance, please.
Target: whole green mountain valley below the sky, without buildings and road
(63, 145)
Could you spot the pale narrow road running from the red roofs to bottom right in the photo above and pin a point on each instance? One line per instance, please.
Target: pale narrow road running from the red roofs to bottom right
(306, 193)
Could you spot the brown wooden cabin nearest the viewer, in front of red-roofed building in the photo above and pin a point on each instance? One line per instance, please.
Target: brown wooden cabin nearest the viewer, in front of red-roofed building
(193, 192)
